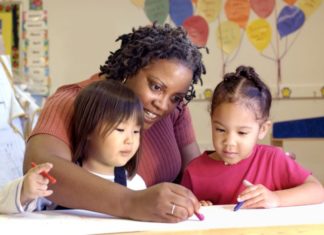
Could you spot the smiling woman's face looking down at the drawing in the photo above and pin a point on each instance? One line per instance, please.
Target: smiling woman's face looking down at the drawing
(160, 86)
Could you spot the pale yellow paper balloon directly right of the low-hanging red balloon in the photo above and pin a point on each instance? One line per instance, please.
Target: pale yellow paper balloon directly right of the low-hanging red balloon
(228, 36)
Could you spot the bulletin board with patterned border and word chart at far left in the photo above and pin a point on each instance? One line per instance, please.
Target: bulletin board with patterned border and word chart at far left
(24, 38)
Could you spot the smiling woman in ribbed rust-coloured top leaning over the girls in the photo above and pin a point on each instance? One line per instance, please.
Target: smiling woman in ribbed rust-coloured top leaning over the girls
(161, 65)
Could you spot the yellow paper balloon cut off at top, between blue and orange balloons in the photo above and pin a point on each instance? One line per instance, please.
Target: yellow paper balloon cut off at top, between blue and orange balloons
(209, 9)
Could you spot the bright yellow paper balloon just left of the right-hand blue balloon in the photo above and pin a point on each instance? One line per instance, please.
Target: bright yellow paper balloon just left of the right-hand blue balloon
(259, 34)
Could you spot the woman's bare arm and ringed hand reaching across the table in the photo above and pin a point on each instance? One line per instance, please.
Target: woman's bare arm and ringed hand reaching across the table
(77, 188)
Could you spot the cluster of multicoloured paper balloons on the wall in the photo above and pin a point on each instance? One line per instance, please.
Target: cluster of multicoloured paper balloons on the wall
(250, 17)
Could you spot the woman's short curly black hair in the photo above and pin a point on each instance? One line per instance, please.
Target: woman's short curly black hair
(148, 43)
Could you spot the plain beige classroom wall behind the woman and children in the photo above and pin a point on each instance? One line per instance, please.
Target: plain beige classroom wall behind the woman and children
(82, 32)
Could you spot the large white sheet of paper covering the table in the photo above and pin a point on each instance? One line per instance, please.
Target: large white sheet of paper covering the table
(85, 222)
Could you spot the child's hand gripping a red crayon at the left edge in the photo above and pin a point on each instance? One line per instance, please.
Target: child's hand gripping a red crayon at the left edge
(34, 184)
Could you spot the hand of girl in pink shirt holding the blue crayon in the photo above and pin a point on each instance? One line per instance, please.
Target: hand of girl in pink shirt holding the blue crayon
(258, 196)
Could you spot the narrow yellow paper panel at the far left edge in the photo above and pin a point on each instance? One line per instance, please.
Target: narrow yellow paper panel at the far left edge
(6, 18)
